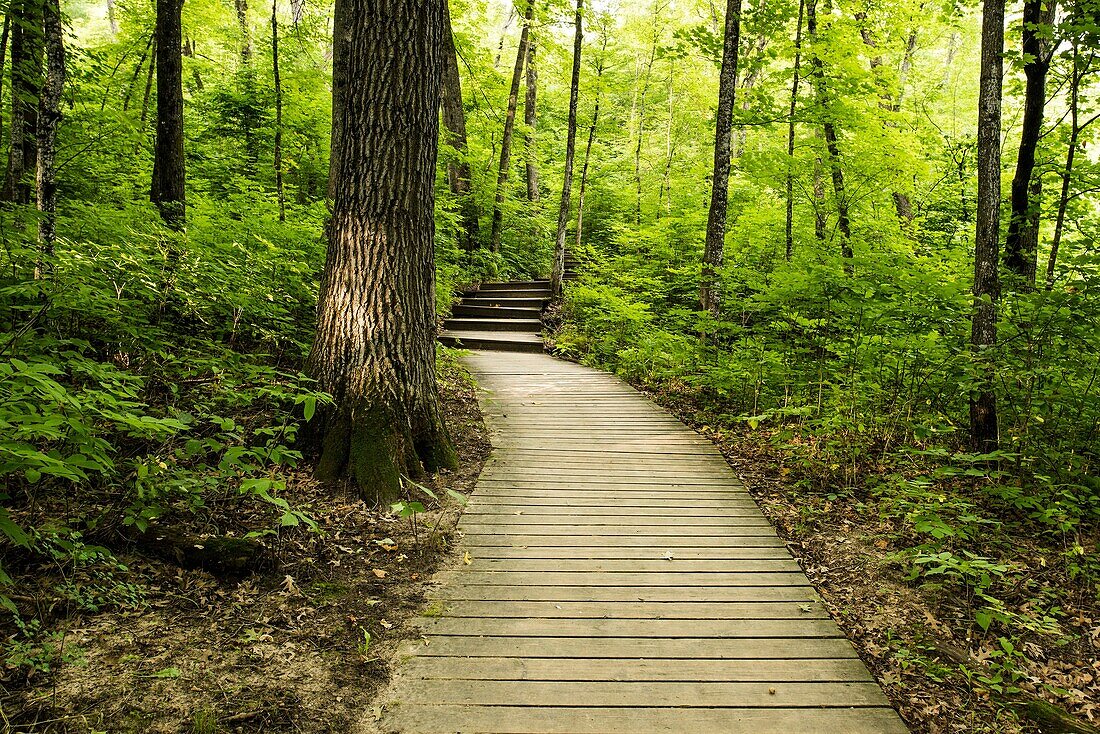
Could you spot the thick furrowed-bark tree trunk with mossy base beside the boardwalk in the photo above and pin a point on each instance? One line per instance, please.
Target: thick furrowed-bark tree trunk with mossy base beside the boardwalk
(376, 348)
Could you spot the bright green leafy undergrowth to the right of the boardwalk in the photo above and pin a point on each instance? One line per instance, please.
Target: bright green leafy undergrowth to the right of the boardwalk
(855, 389)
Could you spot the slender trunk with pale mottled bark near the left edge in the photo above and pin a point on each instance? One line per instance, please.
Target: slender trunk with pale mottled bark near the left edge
(50, 115)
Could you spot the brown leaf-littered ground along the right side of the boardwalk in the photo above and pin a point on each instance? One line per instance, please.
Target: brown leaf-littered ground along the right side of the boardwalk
(856, 554)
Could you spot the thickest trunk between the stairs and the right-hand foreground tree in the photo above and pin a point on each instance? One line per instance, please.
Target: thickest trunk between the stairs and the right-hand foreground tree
(709, 292)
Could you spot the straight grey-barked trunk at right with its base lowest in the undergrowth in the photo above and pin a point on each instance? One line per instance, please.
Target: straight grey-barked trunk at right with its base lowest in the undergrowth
(987, 286)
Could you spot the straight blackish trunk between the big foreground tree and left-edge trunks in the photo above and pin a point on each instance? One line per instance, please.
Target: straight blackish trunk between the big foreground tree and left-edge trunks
(169, 170)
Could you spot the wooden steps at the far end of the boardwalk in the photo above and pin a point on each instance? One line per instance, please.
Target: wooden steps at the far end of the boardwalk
(500, 316)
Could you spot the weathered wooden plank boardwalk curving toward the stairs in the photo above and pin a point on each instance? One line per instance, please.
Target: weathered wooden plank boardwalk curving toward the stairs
(621, 580)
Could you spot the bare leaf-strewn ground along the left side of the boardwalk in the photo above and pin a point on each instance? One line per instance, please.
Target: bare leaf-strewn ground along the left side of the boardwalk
(302, 648)
